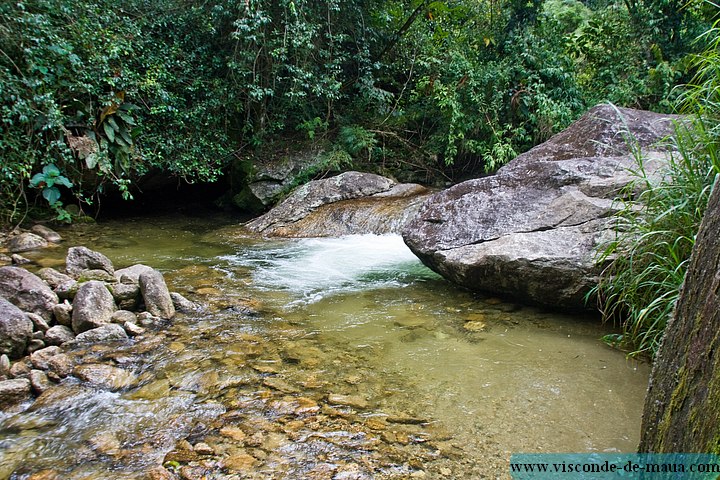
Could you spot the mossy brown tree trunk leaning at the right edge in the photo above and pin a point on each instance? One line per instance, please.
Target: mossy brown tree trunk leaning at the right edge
(682, 408)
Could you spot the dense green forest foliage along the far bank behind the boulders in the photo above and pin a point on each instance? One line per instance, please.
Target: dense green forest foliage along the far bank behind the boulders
(102, 92)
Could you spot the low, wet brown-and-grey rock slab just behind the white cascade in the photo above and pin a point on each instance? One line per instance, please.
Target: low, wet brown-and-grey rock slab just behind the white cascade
(350, 203)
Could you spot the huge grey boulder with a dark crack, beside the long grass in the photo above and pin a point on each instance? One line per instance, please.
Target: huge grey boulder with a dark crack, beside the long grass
(531, 231)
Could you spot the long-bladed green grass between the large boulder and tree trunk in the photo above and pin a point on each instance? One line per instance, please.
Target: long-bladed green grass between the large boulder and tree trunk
(649, 257)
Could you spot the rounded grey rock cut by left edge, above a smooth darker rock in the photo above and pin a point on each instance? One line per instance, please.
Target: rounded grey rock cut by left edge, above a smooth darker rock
(27, 291)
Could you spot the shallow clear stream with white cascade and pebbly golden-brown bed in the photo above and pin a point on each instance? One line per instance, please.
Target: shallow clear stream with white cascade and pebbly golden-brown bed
(322, 358)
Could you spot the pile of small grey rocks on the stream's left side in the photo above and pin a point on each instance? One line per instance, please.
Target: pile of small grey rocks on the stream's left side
(43, 314)
